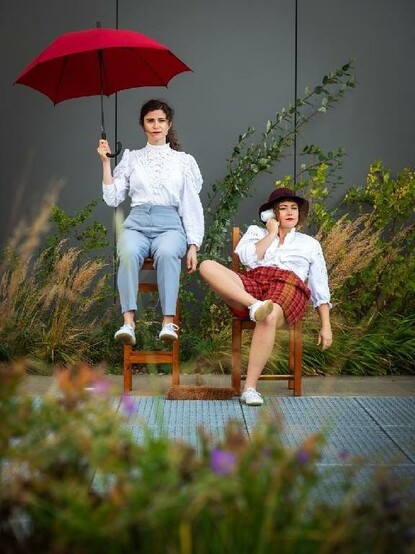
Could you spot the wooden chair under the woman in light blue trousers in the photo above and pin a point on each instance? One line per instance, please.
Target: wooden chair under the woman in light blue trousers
(134, 356)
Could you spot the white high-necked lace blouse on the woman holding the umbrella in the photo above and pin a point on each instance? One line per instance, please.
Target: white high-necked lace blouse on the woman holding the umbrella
(160, 176)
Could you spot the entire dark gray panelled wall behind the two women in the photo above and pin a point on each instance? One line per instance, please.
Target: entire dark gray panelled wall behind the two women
(242, 56)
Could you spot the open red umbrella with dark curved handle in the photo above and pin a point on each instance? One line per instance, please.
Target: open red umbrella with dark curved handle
(100, 61)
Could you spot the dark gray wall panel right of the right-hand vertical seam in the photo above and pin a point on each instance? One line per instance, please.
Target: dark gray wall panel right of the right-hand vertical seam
(377, 119)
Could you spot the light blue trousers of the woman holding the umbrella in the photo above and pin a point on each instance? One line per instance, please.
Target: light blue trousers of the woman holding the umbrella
(155, 231)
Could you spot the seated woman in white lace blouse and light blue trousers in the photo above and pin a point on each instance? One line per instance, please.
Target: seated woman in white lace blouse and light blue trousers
(166, 217)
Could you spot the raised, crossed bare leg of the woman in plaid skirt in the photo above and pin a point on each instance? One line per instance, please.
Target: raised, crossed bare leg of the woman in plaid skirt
(227, 284)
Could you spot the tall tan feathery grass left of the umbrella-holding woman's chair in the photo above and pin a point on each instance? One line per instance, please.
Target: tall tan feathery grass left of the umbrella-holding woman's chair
(48, 312)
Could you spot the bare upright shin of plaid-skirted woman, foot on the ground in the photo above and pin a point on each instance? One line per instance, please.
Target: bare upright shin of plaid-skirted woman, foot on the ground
(262, 344)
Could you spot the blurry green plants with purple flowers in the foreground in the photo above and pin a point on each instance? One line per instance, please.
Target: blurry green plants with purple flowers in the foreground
(73, 480)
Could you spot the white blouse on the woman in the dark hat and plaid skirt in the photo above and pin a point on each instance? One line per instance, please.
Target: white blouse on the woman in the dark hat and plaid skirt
(299, 253)
